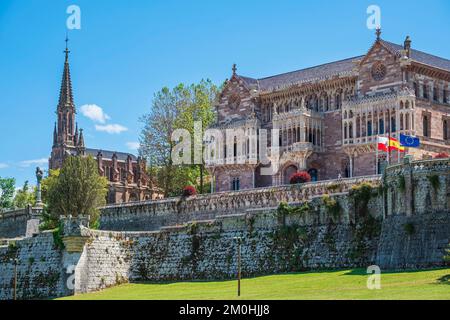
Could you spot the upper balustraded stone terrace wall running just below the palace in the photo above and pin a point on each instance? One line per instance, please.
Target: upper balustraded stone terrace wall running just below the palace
(151, 215)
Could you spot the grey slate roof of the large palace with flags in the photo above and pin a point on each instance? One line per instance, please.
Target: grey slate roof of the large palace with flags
(336, 68)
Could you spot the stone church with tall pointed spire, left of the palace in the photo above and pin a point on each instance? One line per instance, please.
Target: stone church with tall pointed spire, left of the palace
(126, 173)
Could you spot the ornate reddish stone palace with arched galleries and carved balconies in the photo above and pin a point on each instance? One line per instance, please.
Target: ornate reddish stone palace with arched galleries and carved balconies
(329, 116)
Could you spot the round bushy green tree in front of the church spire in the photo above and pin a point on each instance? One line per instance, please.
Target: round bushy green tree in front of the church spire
(77, 190)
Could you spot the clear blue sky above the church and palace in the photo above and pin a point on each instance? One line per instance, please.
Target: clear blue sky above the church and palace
(128, 50)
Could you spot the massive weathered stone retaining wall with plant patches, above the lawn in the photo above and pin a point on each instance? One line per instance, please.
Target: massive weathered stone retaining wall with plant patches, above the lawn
(404, 223)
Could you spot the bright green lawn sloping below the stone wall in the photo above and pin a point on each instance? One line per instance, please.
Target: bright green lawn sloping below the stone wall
(343, 284)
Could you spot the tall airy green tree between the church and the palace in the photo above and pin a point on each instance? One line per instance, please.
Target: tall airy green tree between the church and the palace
(172, 109)
